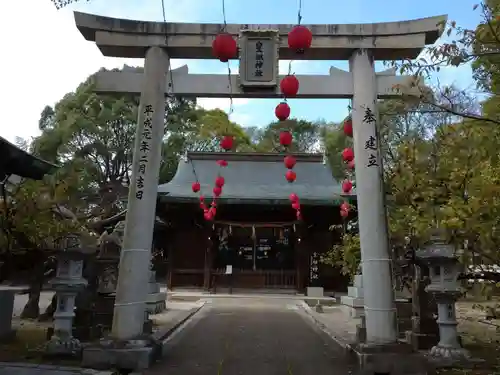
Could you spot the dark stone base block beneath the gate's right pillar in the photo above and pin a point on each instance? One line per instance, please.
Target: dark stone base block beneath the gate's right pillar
(397, 358)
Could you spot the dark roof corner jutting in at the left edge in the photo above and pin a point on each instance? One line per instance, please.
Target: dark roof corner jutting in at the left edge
(15, 161)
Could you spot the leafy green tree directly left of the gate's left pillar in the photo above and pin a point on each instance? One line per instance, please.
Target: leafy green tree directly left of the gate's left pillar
(91, 135)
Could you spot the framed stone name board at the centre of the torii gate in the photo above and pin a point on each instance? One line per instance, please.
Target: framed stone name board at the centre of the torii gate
(259, 58)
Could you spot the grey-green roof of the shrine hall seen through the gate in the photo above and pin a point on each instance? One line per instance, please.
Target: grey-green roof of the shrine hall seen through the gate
(254, 178)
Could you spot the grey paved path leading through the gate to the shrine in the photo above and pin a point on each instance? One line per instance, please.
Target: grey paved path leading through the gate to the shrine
(251, 336)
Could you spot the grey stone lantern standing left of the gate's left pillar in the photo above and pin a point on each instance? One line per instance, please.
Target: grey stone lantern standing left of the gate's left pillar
(67, 284)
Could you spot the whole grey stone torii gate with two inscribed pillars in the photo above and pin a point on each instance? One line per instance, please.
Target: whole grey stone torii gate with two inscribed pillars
(361, 44)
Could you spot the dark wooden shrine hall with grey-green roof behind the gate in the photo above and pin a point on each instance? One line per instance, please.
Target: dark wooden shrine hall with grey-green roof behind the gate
(255, 241)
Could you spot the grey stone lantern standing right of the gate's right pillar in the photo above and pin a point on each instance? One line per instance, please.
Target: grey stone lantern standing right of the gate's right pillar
(444, 269)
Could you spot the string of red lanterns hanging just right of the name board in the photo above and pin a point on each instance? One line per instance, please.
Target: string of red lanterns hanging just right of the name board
(299, 40)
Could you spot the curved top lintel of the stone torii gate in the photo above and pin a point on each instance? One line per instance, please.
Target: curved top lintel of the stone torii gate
(388, 40)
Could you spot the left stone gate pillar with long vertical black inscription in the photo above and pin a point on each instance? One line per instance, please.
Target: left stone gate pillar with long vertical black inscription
(133, 276)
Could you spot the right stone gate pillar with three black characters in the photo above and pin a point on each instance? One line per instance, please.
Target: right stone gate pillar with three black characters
(378, 294)
